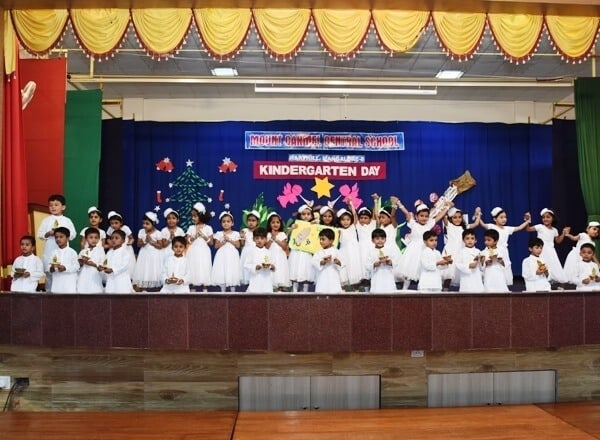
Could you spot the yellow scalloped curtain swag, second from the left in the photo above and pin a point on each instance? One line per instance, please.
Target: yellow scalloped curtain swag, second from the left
(100, 31)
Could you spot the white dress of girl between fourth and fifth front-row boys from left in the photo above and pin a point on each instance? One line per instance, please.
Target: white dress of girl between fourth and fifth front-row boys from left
(149, 264)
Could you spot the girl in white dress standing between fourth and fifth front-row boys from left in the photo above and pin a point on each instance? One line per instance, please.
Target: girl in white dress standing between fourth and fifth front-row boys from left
(149, 265)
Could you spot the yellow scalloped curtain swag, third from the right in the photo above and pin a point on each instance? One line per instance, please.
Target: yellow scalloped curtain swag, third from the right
(459, 33)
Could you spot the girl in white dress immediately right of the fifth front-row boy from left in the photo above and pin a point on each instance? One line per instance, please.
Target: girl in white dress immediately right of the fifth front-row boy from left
(200, 237)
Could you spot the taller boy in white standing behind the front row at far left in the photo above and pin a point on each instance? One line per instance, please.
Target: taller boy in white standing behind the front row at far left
(56, 207)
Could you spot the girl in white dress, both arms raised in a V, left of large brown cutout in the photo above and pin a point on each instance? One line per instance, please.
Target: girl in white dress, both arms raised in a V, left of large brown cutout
(419, 223)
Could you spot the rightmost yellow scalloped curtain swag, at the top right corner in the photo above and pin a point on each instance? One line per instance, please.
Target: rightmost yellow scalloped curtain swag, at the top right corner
(573, 36)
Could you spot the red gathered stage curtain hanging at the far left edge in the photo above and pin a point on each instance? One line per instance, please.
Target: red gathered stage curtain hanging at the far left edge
(14, 212)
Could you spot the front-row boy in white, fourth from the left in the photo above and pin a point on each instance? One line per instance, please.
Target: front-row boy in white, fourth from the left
(116, 265)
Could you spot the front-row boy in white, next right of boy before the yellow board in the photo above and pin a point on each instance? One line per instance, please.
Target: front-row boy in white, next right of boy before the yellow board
(381, 263)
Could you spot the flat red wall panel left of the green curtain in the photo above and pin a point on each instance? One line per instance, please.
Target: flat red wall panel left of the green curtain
(44, 125)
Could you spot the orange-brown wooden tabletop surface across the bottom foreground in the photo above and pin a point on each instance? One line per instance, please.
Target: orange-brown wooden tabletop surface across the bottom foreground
(565, 421)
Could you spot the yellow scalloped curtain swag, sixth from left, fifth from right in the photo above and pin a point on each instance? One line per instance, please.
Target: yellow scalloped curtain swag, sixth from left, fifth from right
(342, 32)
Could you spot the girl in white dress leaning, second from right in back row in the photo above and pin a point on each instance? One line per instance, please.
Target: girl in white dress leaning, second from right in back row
(549, 235)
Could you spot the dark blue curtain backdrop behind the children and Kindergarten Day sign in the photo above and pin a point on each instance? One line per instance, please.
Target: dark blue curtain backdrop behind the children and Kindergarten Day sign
(511, 163)
